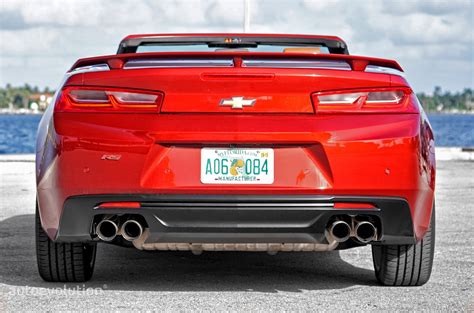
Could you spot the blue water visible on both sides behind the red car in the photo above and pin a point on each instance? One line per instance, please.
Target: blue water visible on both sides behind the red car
(18, 132)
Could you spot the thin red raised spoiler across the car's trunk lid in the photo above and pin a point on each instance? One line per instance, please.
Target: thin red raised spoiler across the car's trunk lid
(357, 63)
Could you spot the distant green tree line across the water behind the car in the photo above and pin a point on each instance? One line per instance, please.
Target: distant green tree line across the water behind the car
(23, 96)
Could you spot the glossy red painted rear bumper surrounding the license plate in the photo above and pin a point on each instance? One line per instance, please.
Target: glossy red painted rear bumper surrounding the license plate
(382, 155)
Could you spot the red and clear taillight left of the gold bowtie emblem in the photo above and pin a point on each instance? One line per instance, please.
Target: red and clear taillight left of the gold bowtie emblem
(84, 99)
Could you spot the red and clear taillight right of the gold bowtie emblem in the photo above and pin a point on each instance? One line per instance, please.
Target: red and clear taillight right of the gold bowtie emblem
(372, 100)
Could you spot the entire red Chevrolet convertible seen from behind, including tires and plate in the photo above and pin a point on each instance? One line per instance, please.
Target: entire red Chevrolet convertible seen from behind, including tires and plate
(235, 142)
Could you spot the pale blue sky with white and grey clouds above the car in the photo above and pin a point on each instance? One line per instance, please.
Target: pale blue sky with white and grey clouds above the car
(432, 40)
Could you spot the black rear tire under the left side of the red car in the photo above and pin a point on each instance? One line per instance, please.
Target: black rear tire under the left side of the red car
(63, 262)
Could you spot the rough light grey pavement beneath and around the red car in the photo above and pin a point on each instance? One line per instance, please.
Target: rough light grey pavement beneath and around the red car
(127, 278)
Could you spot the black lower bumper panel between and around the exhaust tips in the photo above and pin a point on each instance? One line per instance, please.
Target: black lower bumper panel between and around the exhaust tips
(237, 218)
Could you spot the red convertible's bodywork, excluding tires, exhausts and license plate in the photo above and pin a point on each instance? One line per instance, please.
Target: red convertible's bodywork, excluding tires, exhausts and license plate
(114, 160)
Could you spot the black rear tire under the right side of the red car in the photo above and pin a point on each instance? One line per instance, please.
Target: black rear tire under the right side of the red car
(406, 265)
